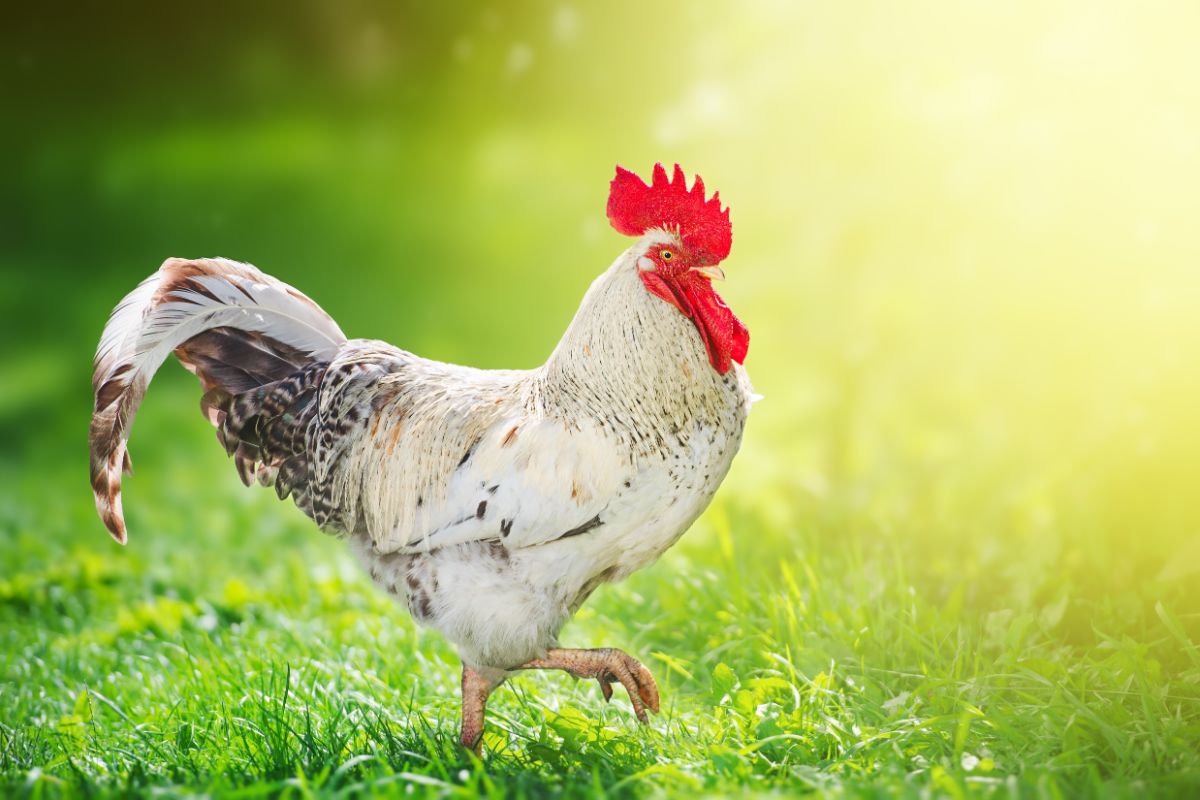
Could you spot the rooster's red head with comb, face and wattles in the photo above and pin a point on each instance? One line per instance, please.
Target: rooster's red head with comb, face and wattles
(681, 267)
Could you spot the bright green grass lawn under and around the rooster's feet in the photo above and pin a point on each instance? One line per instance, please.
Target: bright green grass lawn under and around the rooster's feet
(233, 649)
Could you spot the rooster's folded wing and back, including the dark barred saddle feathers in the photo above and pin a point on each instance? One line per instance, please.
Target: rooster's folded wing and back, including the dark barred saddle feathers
(421, 455)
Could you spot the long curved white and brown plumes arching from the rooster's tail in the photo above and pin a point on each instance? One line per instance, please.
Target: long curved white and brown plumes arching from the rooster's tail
(231, 324)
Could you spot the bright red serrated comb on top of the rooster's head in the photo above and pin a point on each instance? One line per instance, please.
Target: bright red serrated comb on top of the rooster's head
(635, 208)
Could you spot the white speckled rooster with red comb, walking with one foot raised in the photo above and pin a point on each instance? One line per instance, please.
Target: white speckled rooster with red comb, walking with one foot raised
(493, 503)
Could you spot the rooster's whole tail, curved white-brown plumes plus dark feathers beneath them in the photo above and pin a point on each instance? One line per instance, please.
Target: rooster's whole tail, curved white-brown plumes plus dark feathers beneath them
(260, 350)
